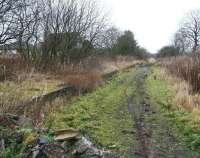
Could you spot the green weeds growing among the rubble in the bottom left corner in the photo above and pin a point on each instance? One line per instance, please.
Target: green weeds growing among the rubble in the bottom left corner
(18, 142)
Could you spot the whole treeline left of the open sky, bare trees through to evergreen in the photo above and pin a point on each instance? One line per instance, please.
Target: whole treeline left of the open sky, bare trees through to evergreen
(63, 30)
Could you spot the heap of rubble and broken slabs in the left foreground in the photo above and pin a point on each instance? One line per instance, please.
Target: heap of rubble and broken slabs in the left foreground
(64, 143)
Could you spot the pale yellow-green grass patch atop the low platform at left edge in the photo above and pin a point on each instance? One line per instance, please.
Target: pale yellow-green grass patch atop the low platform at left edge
(14, 93)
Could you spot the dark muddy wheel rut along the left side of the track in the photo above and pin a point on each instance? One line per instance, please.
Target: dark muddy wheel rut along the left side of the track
(137, 110)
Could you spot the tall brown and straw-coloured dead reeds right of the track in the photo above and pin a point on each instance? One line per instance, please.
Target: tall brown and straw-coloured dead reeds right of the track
(183, 73)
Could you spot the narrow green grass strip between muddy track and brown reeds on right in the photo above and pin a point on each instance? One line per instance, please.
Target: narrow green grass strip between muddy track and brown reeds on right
(162, 95)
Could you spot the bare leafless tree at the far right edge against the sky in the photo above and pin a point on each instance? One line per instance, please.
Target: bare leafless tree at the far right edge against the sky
(190, 29)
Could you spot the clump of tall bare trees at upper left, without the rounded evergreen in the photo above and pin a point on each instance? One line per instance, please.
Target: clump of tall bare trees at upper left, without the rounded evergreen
(62, 28)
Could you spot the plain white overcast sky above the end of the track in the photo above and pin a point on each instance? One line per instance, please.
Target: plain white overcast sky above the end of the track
(152, 21)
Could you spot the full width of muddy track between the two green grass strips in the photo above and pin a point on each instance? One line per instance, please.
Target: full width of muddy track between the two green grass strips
(155, 138)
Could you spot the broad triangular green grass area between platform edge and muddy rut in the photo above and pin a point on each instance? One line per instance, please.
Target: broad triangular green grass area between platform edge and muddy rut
(102, 115)
